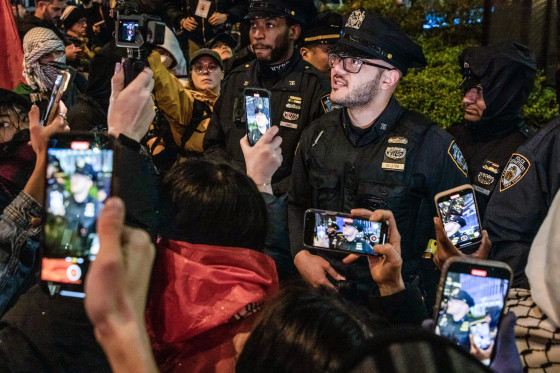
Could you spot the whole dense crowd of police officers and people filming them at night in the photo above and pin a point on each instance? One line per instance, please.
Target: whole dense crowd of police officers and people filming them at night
(200, 263)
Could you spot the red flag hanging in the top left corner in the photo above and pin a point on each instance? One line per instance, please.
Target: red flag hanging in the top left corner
(11, 51)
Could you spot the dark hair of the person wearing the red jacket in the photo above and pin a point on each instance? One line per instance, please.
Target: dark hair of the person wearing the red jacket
(212, 203)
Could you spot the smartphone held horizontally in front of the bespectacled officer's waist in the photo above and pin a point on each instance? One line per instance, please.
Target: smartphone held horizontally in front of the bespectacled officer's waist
(341, 232)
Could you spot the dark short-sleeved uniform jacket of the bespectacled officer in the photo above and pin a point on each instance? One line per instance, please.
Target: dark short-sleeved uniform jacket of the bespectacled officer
(399, 165)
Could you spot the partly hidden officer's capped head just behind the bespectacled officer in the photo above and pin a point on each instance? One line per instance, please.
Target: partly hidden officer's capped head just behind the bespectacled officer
(317, 40)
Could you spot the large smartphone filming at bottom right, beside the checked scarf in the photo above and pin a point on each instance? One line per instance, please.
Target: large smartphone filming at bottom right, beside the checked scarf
(470, 301)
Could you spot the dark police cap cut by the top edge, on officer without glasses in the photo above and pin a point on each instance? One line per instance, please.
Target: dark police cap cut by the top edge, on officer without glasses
(303, 12)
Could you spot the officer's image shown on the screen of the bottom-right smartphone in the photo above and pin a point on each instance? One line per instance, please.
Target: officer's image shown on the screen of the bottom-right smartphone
(455, 323)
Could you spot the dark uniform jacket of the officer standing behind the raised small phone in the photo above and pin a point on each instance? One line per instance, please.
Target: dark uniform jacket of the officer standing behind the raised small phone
(296, 99)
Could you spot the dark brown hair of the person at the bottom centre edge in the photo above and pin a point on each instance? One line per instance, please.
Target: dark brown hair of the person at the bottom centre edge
(305, 329)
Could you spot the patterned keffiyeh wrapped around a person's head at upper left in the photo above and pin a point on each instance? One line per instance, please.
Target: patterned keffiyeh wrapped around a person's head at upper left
(38, 42)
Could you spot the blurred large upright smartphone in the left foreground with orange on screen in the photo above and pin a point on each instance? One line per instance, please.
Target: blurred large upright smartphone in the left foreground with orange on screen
(78, 181)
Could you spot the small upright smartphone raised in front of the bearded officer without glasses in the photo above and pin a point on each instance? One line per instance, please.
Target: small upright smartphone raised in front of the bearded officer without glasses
(257, 109)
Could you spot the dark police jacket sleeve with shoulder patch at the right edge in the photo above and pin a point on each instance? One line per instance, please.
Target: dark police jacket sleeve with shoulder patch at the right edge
(521, 201)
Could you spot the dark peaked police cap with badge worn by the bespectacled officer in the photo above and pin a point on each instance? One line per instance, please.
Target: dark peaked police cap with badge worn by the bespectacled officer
(369, 36)
